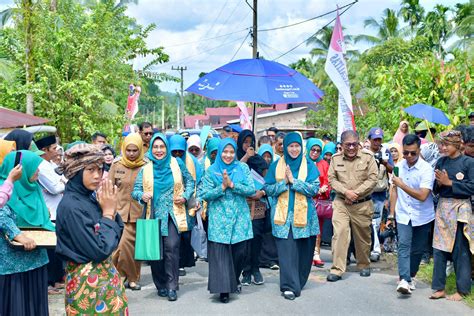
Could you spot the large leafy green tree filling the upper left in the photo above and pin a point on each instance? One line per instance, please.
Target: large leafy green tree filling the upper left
(83, 65)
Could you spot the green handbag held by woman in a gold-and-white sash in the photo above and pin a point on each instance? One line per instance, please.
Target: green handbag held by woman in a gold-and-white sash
(148, 238)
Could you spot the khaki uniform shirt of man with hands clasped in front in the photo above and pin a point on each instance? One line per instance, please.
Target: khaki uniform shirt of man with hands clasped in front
(359, 174)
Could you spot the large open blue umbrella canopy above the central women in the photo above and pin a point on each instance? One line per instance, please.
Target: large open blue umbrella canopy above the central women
(258, 81)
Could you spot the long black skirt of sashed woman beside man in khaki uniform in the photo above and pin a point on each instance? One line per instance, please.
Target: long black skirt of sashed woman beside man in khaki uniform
(296, 256)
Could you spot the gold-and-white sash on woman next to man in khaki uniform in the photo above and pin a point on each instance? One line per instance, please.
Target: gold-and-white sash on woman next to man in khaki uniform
(300, 213)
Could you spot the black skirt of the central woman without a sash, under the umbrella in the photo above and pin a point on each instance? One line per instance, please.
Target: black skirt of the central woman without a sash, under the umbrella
(225, 266)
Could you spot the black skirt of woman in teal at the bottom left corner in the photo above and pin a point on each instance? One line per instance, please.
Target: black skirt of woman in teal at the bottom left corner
(24, 293)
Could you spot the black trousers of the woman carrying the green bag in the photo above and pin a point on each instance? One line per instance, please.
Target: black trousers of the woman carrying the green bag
(165, 272)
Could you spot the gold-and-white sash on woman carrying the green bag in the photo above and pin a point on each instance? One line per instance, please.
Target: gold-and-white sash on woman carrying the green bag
(178, 190)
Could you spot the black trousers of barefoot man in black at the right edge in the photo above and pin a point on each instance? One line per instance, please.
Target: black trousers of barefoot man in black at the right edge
(461, 257)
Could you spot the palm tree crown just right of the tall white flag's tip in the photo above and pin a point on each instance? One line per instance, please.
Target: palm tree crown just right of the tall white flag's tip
(388, 27)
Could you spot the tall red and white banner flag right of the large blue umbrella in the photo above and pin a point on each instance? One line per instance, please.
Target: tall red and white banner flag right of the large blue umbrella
(336, 69)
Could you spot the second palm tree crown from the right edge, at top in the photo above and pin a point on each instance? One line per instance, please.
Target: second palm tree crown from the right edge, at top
(437, 28)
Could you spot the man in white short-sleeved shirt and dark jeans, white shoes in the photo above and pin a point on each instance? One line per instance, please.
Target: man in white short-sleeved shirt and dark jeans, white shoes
(412, 203)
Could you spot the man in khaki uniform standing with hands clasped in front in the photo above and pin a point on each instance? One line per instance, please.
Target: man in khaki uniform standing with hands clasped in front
(353, 175)
